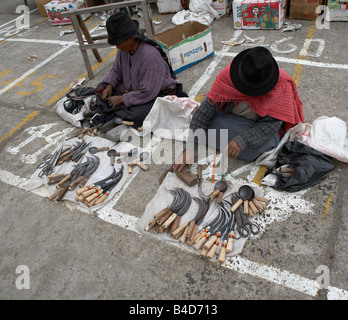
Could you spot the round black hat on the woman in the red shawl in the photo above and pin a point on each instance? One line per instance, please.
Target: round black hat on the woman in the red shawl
(254, 72)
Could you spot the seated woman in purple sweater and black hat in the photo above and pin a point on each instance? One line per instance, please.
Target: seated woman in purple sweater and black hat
(141, 72)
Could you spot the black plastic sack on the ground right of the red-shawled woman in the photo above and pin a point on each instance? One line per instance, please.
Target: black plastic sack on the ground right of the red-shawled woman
(311, 166)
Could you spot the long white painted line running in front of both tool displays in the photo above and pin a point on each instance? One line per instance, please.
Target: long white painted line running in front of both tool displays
(237, 263)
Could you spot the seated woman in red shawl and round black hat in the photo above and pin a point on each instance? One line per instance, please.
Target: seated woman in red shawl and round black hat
(254, 99)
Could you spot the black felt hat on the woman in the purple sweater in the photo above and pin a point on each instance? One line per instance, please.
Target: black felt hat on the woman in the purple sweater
(120, 28)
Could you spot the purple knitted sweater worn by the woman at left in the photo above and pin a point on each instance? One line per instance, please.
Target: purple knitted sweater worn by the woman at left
(143, 74)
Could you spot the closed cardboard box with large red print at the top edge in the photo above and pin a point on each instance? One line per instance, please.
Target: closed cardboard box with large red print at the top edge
(258, 14)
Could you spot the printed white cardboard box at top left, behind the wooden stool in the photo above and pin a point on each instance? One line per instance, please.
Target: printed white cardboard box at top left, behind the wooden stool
(54, 9)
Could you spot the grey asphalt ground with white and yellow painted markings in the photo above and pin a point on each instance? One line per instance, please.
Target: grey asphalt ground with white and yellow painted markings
(71, 253)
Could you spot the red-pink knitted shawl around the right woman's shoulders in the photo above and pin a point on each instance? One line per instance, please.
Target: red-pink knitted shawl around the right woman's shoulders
(282, 102)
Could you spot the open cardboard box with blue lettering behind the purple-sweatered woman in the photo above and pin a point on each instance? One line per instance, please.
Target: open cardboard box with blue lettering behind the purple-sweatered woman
(186, 44)
